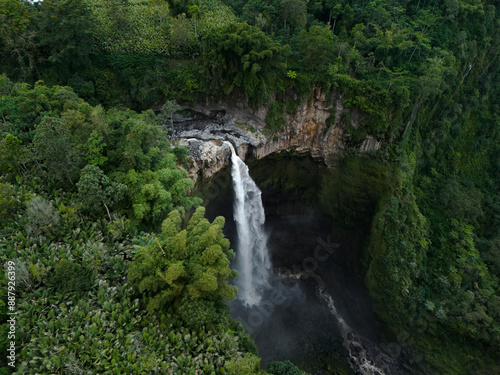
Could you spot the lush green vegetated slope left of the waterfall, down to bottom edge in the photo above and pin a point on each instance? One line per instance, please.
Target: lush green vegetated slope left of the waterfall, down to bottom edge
(70, 174)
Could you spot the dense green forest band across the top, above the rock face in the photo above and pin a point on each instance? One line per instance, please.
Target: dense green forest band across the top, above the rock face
(390, 59)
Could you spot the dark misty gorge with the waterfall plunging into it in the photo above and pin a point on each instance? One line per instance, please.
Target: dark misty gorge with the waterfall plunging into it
(294, 317)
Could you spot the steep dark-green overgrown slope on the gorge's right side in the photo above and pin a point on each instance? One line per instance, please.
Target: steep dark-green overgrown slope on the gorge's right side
(433, 251)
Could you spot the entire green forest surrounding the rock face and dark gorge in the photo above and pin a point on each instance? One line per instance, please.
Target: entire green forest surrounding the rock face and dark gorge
(117, 268)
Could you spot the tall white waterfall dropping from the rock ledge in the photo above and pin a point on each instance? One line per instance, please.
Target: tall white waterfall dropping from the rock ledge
(252, 259)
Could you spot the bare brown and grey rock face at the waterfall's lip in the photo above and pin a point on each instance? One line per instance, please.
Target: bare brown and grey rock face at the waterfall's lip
(317, 127)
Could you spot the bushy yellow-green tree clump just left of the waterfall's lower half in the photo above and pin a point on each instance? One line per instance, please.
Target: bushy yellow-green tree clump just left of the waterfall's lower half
(192, 261)
